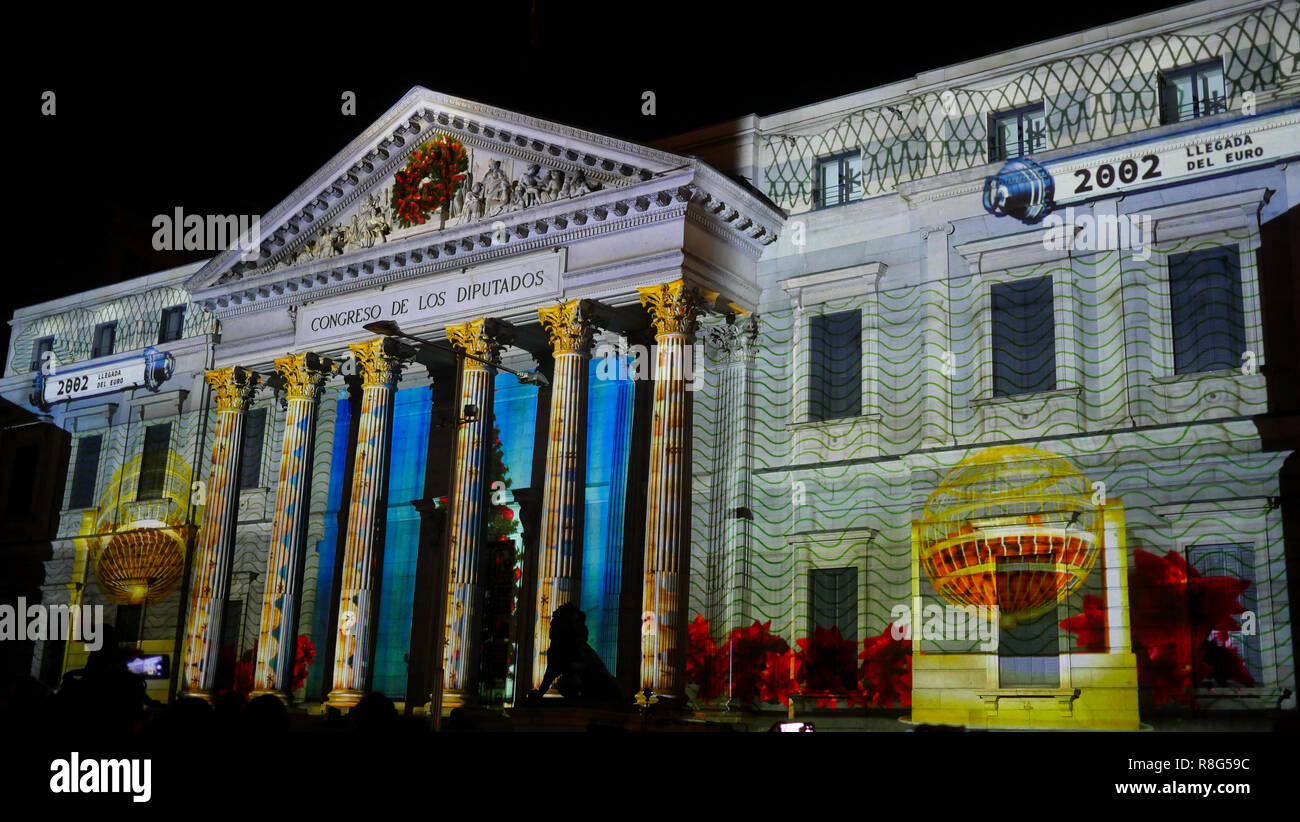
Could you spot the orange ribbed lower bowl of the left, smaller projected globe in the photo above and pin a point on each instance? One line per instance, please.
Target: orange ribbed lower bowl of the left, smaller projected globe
(141, 566)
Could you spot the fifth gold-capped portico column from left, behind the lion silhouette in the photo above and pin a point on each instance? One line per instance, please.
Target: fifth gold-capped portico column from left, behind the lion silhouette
(560, 578)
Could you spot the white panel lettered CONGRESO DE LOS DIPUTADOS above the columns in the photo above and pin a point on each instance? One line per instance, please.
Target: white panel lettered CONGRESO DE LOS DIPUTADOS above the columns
(476, 292)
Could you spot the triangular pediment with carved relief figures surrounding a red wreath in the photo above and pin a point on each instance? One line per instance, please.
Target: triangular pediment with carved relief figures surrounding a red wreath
(515, 165)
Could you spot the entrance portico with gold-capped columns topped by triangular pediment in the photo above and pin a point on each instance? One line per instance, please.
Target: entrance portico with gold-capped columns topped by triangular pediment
(617, 240)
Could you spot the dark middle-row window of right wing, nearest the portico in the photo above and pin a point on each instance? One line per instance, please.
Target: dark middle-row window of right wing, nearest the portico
(837, 366)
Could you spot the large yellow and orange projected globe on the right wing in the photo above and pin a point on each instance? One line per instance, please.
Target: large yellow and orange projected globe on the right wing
(1011, 527)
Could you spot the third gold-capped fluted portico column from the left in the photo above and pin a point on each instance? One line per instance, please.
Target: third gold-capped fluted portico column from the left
(380, 367)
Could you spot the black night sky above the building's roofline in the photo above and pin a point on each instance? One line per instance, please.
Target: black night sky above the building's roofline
(228, 114)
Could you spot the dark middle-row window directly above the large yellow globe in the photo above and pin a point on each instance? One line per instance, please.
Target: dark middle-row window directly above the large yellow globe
(1024, 338)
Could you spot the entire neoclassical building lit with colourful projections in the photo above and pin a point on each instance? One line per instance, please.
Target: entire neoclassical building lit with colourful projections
(959, 396)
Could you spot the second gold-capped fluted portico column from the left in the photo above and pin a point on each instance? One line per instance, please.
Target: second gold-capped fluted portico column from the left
(305, 377)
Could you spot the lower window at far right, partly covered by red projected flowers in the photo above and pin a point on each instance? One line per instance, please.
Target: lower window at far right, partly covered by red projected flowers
(1234, 561)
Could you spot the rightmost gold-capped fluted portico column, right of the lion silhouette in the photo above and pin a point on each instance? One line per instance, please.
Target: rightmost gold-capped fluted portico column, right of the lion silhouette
(664, 622)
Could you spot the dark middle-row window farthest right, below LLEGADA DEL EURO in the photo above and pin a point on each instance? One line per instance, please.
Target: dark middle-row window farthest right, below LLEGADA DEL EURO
(1207, 310)
